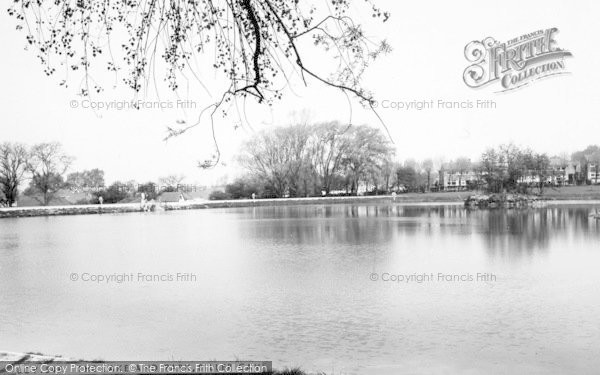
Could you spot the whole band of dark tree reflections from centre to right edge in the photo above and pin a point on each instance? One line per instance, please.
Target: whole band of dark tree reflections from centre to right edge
(501, 230)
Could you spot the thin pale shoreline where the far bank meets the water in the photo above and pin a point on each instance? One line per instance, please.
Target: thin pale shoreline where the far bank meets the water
(420, 199)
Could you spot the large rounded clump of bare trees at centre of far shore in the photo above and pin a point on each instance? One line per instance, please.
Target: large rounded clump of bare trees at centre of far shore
(312, 160)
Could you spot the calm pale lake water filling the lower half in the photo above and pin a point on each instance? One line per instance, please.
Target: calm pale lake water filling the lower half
(294, 285)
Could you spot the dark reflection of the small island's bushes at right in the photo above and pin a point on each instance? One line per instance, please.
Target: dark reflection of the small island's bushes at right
(524, 231)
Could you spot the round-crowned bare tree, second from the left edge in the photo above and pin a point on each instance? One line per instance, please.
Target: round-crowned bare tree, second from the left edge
(47, 163)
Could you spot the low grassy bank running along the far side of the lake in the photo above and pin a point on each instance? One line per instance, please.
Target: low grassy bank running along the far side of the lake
(578, 193)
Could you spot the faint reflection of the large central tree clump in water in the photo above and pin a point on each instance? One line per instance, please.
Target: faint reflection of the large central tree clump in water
(353, 224)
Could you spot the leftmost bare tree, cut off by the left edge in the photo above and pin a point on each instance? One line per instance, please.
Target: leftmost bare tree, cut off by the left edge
(13, 165)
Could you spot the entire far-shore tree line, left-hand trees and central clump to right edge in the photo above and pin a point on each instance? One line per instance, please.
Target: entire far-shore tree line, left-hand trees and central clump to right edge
(306, 160)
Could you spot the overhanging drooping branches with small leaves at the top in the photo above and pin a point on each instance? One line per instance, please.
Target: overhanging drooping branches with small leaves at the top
(258, 45)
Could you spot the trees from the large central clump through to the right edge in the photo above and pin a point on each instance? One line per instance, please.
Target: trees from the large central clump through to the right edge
(334, 159)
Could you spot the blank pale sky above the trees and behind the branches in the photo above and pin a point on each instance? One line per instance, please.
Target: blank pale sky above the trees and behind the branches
(554, 115)
